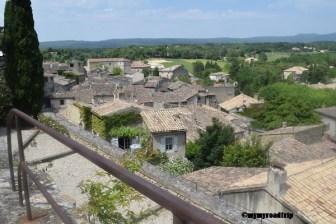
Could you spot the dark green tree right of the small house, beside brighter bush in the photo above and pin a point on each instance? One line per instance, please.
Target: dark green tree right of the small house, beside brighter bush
(211, 143)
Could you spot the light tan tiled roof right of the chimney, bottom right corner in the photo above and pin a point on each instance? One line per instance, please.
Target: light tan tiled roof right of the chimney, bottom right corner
(313, 192)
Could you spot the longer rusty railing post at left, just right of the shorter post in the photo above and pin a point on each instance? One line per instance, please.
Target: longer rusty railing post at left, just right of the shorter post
(23, 172)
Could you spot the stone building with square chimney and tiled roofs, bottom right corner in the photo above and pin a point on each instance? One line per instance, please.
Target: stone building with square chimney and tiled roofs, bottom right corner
(306, 190)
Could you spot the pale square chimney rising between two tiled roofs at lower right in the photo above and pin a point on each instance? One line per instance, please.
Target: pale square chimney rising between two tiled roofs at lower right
(276, 180)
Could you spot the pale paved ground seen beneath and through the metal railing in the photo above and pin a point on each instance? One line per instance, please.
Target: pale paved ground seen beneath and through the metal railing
(63, 178)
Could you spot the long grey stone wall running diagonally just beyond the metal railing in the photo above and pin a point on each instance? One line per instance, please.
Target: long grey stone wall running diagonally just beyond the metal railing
(186, 189)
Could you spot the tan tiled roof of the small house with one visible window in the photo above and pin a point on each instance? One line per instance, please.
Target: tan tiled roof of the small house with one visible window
(162, 121)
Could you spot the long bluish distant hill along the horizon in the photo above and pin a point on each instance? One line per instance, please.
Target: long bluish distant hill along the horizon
(114, 43)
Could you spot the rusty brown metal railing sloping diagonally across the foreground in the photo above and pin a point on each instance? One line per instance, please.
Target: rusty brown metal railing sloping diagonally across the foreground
(183, 212)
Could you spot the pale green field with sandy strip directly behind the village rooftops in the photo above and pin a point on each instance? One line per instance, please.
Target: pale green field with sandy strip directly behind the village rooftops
(167, 62)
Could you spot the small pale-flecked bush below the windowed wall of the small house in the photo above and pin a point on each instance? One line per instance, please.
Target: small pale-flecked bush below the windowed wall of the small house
(178, 166)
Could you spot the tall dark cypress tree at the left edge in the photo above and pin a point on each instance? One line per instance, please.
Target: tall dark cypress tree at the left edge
(24, 71)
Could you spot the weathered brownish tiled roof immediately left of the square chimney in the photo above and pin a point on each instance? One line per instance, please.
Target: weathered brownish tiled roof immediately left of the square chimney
(221, 179)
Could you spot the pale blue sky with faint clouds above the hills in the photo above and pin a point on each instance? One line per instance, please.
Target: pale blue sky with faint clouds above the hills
(109, 19)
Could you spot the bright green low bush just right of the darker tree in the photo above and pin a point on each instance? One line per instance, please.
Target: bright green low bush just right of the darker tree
(247, 154)
